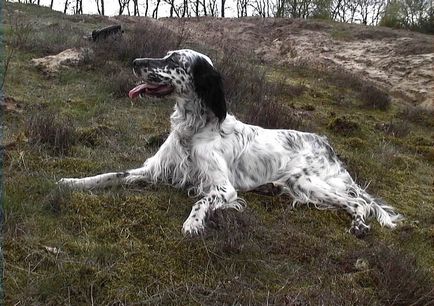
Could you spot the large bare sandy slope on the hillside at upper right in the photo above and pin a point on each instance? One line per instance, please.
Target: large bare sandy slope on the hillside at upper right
(399, 61)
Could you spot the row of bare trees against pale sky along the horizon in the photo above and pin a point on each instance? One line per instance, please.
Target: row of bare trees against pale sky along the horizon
(416, 15)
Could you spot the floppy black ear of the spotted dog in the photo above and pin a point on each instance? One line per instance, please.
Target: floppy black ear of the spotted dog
(209, 87)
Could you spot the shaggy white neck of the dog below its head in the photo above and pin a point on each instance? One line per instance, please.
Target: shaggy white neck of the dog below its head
(189, 117)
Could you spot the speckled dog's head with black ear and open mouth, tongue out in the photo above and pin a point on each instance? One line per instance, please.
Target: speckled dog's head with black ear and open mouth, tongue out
(183, 73)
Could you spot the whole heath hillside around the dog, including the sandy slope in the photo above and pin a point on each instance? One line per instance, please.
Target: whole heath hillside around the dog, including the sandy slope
(124, 245)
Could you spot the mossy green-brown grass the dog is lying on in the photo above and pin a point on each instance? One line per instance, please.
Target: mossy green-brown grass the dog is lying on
(125, 245)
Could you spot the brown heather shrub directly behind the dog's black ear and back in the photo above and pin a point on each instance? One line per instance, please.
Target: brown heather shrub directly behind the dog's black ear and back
(256, 99)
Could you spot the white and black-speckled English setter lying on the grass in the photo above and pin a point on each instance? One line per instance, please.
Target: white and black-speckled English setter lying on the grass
(215, 155)
